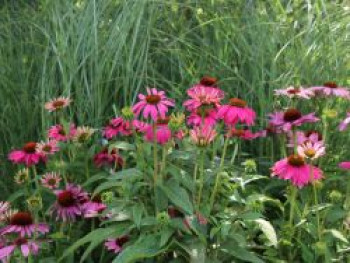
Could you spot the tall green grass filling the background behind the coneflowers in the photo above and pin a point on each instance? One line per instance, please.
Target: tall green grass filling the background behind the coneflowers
(102, 53)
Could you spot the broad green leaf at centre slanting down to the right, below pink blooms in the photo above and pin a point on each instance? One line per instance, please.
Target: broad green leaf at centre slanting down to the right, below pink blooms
(178, 196)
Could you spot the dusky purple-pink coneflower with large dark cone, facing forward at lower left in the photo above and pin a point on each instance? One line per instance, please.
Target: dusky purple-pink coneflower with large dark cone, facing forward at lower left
(68, 205)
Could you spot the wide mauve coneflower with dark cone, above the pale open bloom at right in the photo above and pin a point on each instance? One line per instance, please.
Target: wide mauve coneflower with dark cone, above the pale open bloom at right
(291, 118)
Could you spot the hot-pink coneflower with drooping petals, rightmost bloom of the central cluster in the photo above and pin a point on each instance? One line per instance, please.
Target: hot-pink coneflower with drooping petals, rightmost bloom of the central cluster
(236, 111)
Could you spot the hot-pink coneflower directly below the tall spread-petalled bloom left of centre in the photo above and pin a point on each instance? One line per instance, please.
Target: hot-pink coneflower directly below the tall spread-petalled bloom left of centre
(163, 133)
